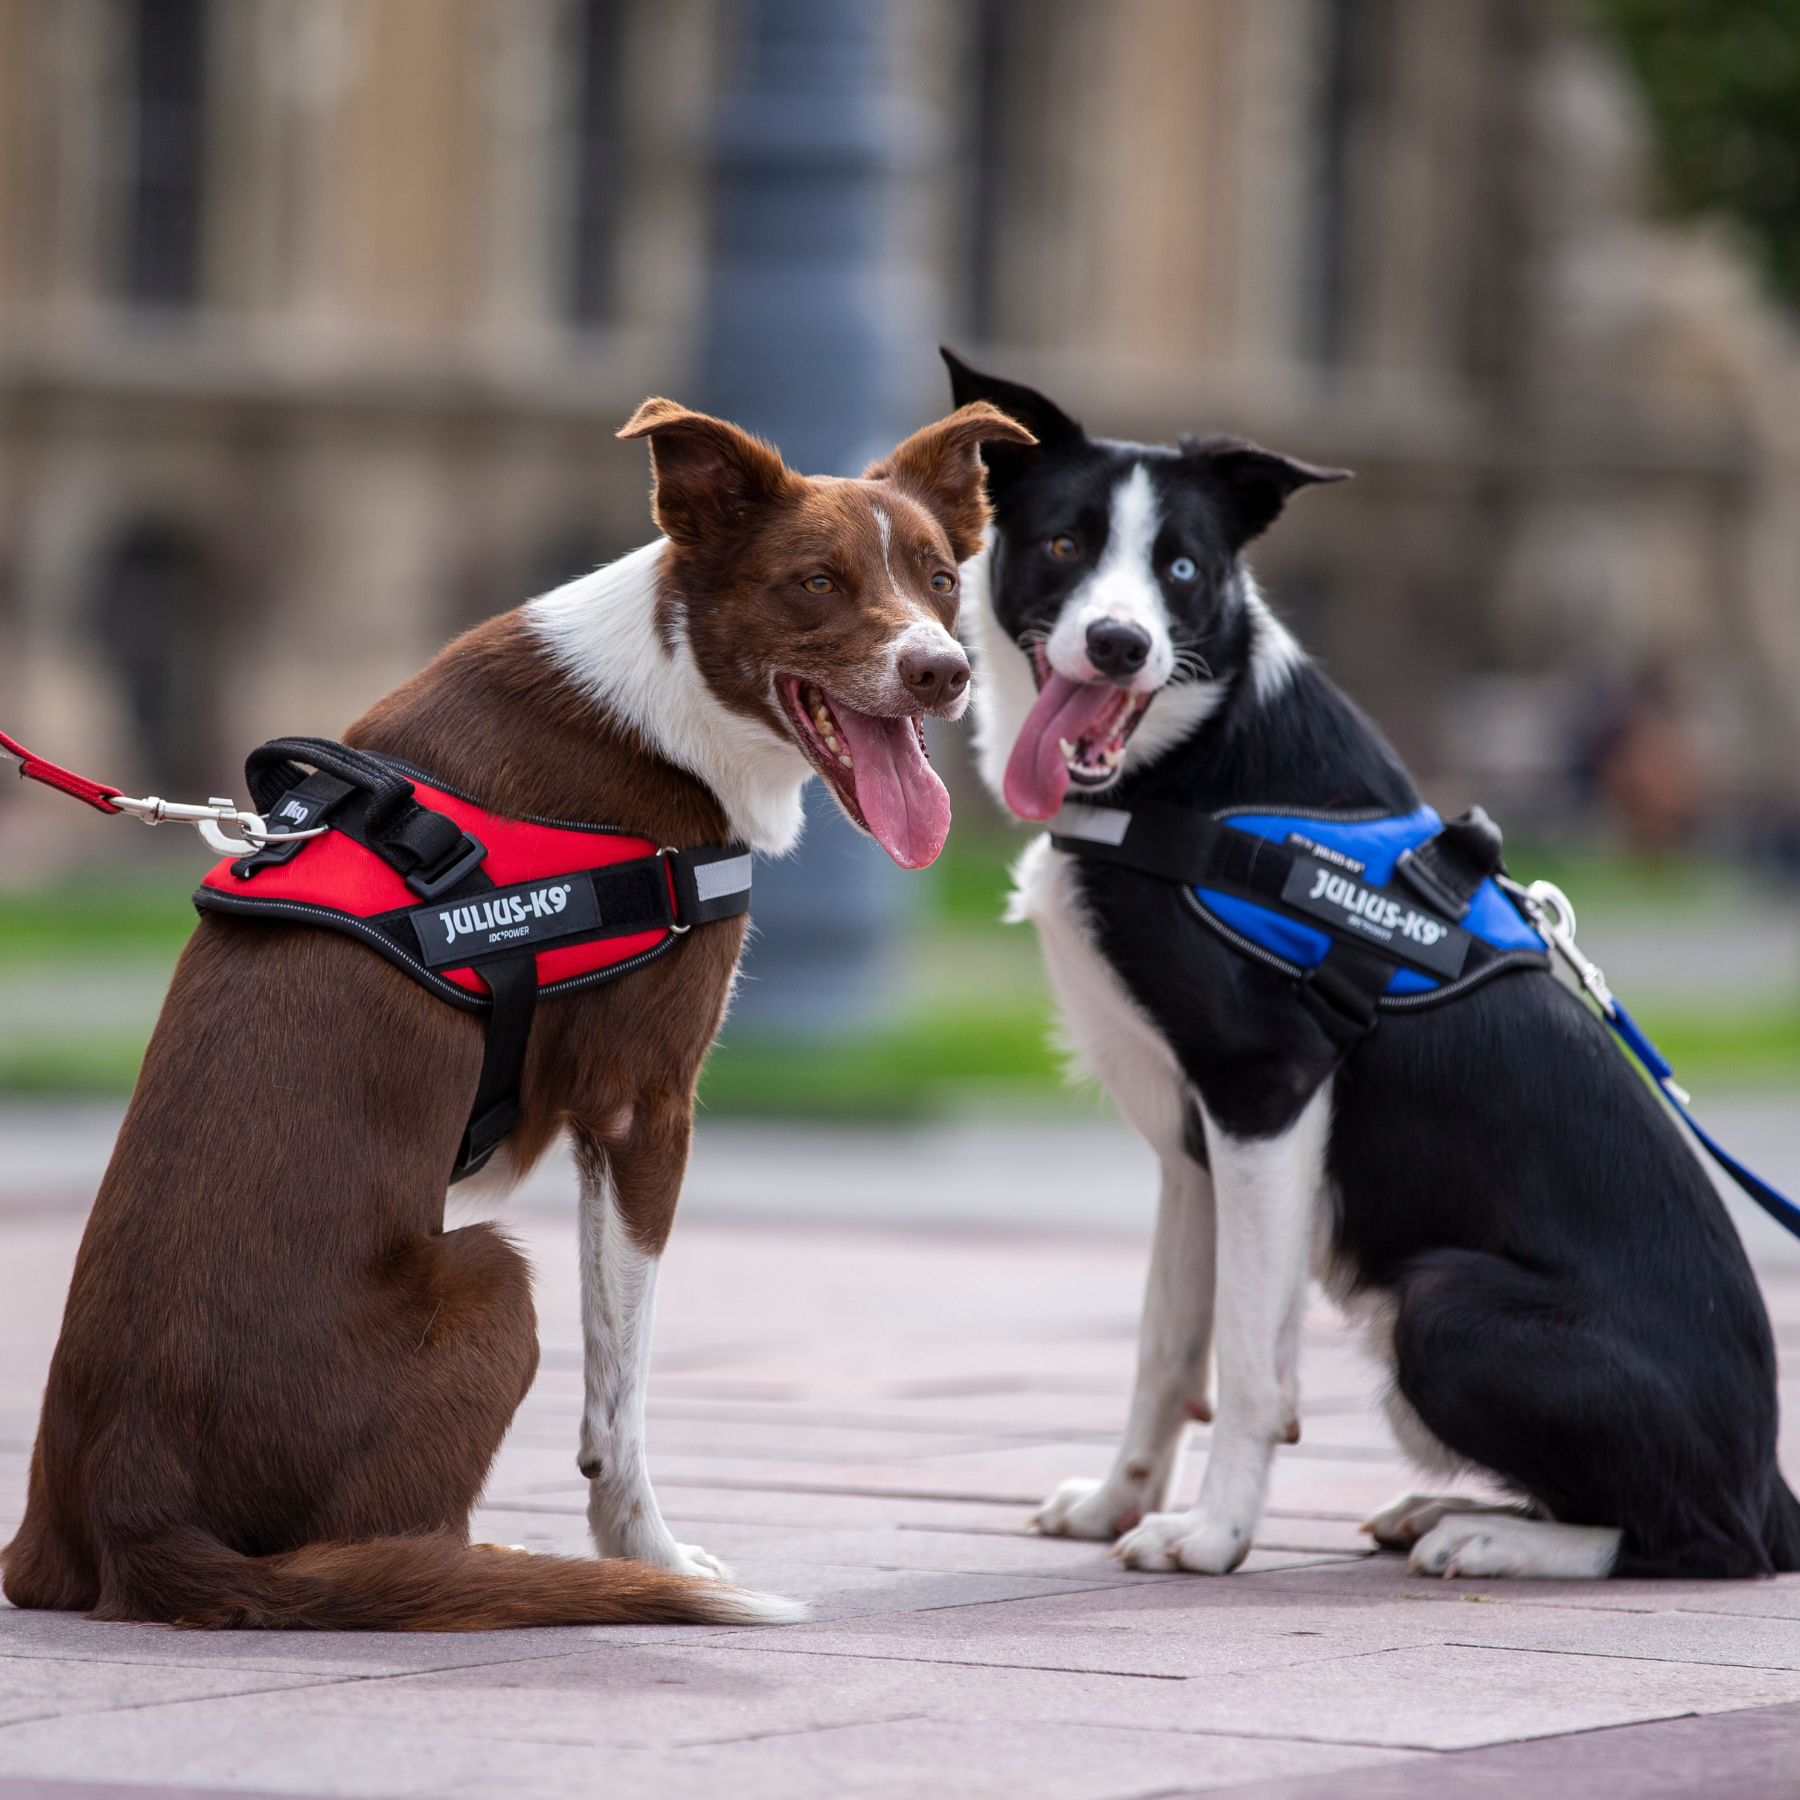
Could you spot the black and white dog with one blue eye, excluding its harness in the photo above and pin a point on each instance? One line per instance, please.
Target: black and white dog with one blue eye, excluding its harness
(1542, 1261)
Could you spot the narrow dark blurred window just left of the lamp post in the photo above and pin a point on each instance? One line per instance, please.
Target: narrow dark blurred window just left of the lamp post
(598, 161)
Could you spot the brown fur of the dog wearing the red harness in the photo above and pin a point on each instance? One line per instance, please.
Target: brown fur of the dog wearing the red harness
(280, 1381)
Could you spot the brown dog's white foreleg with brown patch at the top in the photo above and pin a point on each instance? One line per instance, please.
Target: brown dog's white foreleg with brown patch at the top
(622, 1205)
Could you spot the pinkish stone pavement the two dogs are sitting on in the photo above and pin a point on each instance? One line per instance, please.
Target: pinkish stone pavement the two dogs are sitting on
(876, 1353)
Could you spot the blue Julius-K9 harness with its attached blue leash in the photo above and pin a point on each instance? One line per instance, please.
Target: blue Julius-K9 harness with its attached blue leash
(1372, 913)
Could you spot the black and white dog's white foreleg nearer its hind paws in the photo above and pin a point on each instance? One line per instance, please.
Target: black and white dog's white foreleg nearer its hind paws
(1266, 1192)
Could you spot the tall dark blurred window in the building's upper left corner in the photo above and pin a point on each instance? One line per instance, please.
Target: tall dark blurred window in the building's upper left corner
(166, 172)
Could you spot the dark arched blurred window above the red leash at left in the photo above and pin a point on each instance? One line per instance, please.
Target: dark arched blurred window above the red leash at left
(154, 616)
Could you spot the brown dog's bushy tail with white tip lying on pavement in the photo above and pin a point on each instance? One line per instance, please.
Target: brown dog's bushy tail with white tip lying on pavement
(429, 1583)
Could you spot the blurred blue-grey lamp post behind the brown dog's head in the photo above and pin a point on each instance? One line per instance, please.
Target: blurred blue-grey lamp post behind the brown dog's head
(800, 346)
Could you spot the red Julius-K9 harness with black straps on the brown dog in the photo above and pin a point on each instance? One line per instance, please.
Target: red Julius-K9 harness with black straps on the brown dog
(485, 912)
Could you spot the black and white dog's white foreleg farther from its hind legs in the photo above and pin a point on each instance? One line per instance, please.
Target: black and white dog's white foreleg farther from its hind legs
(1173, 1347)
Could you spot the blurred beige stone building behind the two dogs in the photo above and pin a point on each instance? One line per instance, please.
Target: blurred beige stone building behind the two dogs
(318, 319)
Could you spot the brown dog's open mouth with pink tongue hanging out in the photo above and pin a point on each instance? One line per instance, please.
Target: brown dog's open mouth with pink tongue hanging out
(876, 768)
